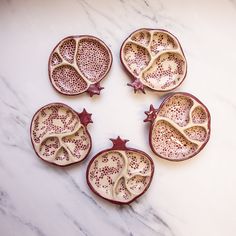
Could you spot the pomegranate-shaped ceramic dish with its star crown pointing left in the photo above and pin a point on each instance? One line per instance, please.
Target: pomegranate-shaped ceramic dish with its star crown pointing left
(180, 127)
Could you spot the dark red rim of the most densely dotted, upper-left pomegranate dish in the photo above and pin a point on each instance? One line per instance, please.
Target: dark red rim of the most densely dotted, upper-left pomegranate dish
(81, 36)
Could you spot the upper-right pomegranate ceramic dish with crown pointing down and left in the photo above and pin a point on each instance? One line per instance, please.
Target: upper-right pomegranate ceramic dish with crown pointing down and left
(154, 59)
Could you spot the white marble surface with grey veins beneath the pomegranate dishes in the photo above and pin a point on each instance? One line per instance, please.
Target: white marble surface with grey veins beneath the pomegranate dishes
(195, 197)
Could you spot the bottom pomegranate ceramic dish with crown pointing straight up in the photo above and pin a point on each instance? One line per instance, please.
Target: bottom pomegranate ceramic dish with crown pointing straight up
(120, 174)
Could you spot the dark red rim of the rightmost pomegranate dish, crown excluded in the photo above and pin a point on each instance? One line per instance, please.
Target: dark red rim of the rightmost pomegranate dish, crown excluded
(158, 110)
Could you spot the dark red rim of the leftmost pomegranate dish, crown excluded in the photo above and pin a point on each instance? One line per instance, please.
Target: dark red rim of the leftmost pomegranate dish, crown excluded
(85, 126)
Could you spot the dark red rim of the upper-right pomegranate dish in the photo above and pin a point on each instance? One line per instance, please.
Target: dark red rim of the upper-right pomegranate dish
(133, 78)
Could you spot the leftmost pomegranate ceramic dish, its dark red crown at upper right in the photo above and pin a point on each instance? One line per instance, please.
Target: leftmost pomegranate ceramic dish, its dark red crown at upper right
(59, 134)
